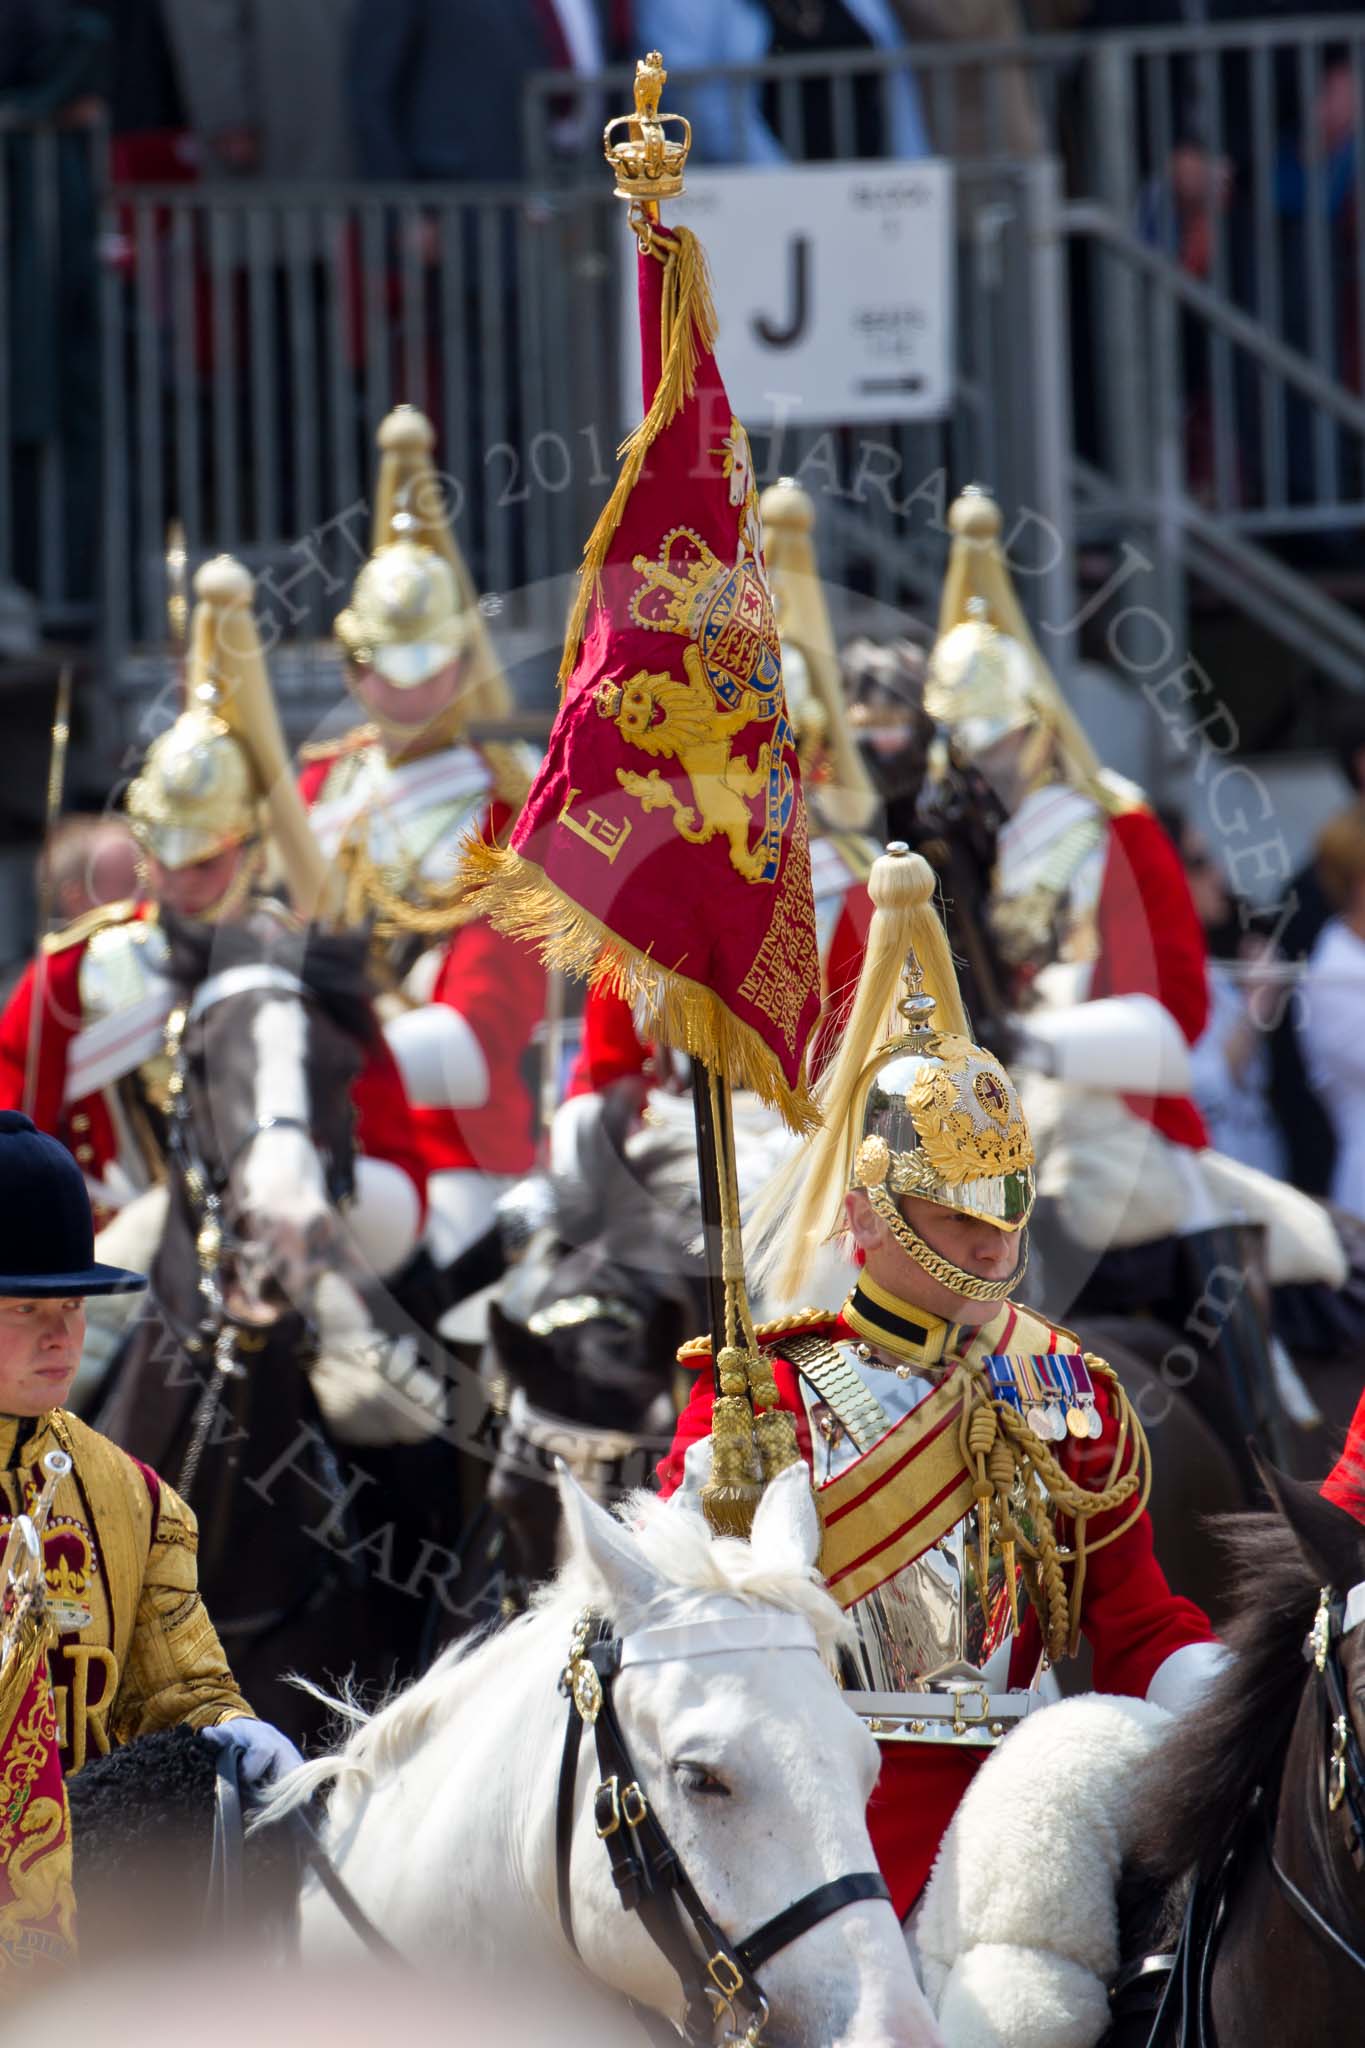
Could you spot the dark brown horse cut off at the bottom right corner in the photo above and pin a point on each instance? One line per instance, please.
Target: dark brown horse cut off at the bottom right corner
(1253, 1830)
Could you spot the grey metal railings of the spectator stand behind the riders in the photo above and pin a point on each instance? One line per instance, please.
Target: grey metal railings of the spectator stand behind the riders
(251, 339)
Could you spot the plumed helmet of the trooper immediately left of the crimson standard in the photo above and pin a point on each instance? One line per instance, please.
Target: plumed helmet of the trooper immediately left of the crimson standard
(414, 607)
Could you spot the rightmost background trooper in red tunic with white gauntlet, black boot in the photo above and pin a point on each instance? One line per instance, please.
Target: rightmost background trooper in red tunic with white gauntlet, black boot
(1092, 912)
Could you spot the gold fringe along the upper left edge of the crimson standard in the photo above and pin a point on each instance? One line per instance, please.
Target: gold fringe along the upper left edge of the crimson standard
(689, 331)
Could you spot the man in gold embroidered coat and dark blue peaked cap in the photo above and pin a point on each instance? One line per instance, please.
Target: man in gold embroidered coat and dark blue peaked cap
(136, 1650)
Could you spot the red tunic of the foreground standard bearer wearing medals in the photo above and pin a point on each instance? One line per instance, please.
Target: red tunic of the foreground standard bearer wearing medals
(1131, 1619)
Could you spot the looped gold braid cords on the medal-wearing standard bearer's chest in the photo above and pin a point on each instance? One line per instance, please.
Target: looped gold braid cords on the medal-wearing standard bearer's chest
(998, 1447)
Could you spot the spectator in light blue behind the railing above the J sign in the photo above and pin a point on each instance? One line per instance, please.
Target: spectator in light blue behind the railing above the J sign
(748, 124)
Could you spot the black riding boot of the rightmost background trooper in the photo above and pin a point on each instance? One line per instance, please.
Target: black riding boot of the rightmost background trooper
(1221, 1316)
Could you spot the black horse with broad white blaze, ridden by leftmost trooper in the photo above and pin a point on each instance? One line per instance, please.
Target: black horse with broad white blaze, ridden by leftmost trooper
(320, 1553)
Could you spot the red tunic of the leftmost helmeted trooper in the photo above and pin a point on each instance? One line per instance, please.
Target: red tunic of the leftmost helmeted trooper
(87, 1127)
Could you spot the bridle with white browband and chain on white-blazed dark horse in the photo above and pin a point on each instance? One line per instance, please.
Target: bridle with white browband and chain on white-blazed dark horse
(206, 1187)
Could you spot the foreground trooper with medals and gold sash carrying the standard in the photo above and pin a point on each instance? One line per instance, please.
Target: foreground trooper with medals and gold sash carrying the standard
(981, 1482)
